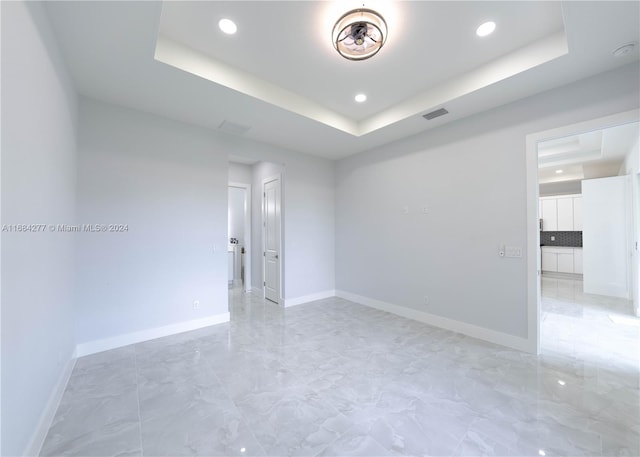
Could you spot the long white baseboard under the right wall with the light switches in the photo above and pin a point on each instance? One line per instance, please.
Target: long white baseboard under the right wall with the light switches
(492, 336)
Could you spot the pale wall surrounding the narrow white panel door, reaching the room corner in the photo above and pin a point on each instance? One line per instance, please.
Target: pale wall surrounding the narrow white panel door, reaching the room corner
(308, 199)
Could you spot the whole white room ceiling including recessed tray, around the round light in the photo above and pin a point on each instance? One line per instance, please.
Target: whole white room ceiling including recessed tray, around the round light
(172, 60)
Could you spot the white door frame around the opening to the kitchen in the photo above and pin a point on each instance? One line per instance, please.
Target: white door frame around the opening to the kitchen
(532, 196)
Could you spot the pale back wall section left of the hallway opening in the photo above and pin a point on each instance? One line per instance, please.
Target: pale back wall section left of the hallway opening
(167, 182)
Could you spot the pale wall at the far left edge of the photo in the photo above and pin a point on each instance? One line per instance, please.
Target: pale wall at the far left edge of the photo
(38, 187)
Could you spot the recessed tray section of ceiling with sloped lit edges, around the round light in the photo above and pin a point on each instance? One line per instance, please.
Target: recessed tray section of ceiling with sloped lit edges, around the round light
(283, 54)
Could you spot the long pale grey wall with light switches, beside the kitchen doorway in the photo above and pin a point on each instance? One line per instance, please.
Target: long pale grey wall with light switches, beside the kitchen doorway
(471, 177)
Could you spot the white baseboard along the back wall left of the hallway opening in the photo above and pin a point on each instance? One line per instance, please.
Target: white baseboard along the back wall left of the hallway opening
(92, 347)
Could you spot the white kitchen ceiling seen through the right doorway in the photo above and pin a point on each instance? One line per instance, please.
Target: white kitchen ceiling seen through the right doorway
(595, 154)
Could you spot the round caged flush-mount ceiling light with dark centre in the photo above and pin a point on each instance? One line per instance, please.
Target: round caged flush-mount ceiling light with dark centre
(359, 34)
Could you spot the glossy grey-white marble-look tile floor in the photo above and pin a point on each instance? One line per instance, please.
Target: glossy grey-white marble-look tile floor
(336, 378)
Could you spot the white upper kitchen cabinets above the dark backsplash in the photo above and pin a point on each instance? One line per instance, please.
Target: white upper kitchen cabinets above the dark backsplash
(561, 214)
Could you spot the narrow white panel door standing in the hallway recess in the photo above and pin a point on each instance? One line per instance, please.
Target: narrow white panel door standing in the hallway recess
(272, 259)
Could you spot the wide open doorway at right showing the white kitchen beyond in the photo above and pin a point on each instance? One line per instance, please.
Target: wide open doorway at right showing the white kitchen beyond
(581, 211)
